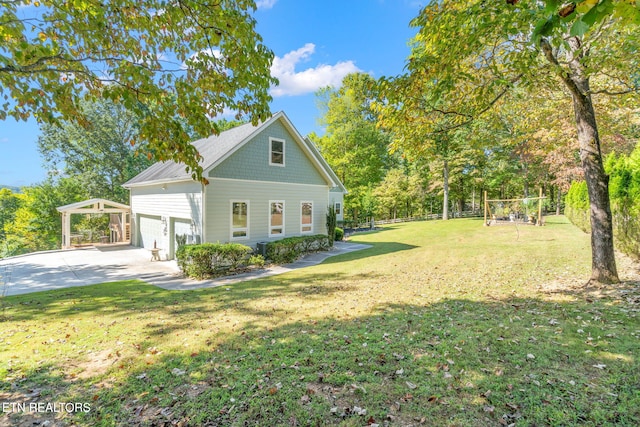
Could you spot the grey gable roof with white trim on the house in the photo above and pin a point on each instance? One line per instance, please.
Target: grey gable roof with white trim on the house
(217, 148)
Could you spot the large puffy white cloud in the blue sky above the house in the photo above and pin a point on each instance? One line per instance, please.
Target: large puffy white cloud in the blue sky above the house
(309, 80)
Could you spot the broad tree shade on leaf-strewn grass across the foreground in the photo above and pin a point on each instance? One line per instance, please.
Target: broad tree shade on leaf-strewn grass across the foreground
(453, 362)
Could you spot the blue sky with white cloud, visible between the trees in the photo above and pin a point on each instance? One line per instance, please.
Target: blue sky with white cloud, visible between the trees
(315, 43)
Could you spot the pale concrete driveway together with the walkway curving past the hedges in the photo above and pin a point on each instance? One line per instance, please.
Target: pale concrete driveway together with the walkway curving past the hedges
(80, 267)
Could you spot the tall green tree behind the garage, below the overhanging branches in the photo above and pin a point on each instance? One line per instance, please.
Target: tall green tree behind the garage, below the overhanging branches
(99, 155)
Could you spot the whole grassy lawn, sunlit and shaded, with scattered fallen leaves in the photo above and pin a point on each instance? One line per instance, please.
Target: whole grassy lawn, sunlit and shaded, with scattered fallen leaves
(439, 323)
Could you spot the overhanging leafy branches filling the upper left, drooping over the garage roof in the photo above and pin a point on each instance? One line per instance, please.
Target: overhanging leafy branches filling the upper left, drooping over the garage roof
(174, 64)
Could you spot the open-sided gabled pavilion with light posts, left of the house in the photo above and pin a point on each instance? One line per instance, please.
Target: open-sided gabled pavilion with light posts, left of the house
(94, 206)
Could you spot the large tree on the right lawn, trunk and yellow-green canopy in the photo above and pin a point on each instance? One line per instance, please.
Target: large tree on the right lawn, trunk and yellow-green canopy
(473, 53)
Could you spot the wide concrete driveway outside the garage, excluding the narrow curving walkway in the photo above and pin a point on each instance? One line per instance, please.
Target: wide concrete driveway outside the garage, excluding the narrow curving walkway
(45, 271)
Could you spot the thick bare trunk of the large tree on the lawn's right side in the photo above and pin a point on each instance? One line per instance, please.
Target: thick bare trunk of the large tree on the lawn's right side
(603, 262)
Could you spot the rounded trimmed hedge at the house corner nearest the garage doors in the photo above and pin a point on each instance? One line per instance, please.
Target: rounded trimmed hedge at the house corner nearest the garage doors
(212, 259)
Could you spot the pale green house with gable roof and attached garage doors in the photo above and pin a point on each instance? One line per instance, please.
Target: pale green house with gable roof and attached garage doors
(266, 182)
